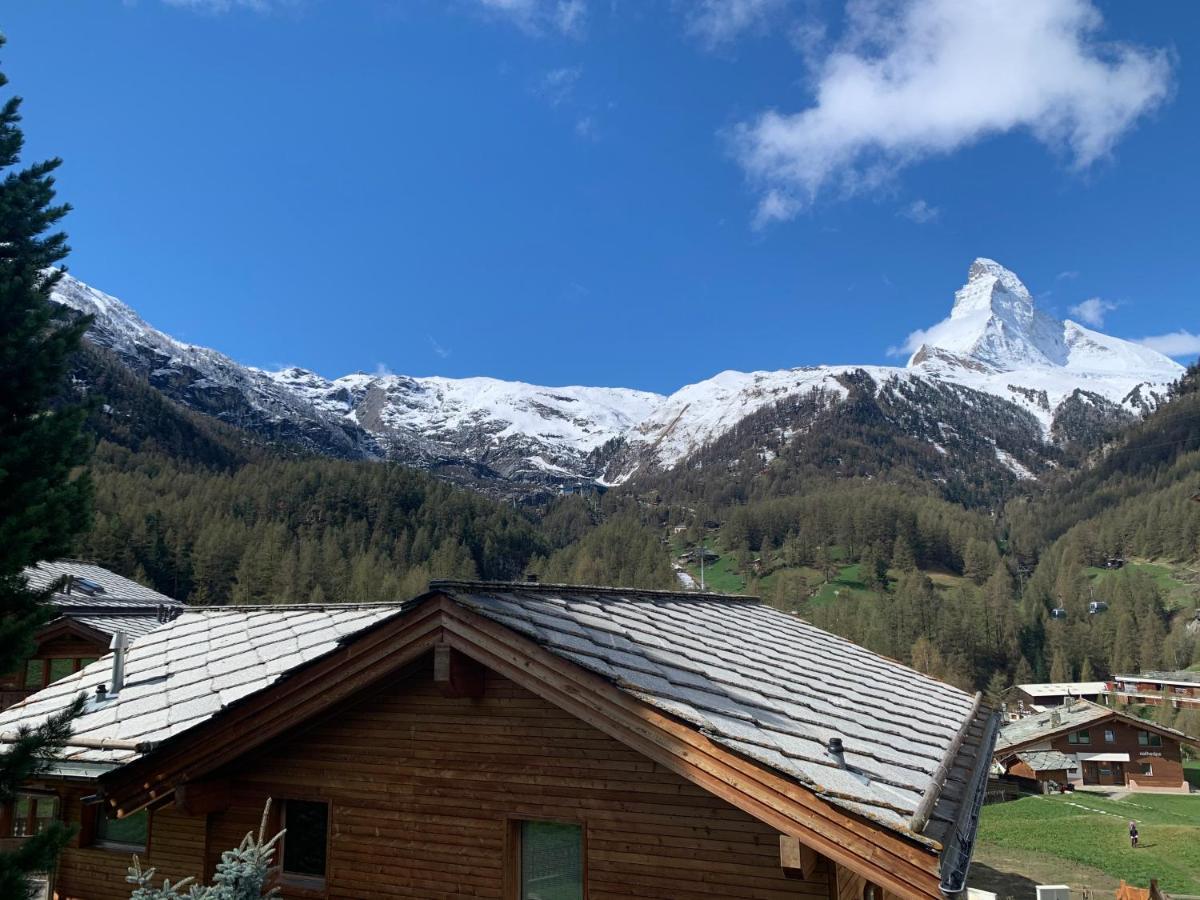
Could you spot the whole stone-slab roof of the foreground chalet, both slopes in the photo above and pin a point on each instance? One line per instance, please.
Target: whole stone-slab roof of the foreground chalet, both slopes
(761, 683)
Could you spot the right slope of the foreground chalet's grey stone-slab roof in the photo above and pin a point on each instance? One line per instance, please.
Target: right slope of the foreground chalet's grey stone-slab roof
(770, 687)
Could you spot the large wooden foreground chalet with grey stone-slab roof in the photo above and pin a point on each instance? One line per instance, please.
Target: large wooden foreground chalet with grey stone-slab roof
(519, 742)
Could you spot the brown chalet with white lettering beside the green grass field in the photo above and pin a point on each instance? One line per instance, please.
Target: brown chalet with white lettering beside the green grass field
(1088, 745)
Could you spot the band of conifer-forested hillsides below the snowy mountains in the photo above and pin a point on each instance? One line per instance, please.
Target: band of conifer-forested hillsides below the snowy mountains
(863, 530)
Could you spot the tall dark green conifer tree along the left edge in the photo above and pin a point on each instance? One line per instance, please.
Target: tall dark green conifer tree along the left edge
(43, 507)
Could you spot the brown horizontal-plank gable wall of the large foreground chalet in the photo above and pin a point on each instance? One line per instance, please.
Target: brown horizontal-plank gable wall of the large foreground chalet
(423, 788)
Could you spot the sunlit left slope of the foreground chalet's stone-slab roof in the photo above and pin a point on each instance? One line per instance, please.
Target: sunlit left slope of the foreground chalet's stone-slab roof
(189, 670)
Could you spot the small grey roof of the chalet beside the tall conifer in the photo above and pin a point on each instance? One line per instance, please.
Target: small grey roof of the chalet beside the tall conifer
(119, 604)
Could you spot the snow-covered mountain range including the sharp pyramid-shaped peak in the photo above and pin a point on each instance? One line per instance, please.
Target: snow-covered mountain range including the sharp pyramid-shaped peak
(1052, 379)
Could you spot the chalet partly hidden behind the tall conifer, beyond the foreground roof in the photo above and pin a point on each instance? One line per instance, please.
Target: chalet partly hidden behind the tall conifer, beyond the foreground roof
(93, 605)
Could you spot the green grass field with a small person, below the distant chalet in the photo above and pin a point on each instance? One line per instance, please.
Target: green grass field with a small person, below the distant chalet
(1091, 831)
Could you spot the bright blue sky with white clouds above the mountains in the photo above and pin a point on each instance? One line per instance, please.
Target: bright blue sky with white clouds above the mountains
(608, 191)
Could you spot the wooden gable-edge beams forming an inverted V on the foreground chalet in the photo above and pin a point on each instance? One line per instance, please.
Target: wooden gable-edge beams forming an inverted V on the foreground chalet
(856, 844)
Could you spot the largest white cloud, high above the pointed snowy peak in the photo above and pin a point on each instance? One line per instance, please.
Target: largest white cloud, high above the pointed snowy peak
(919, 79)
